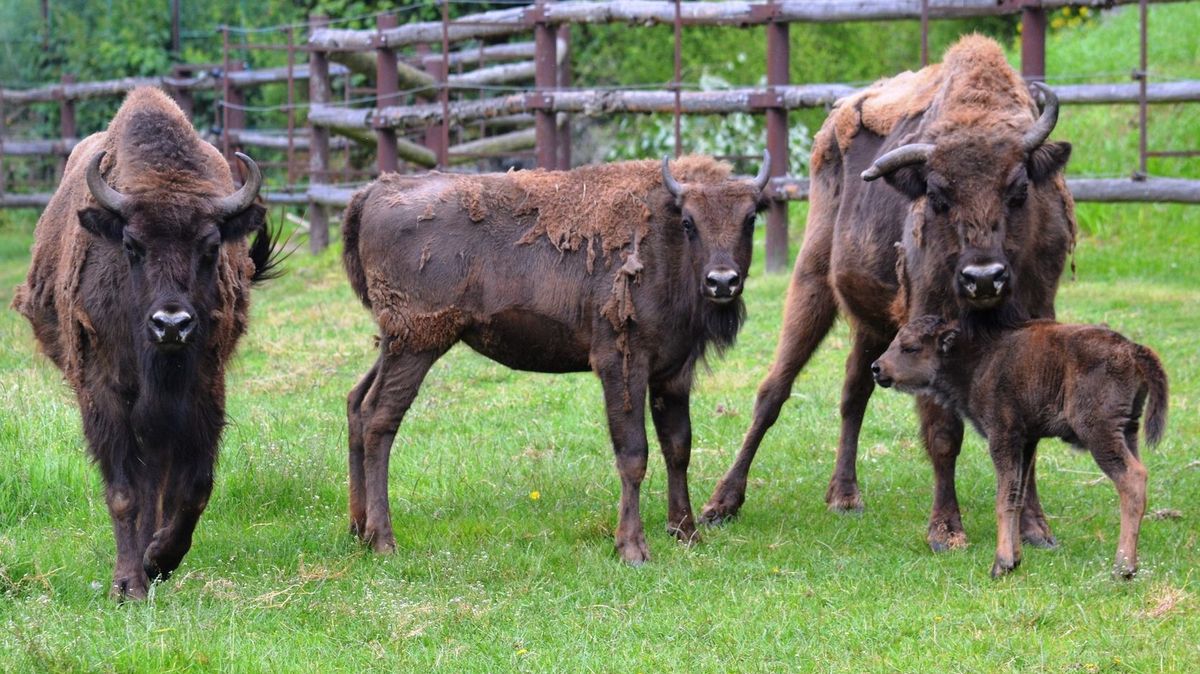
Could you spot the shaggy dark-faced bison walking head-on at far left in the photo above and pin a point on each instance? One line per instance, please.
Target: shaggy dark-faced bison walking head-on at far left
(139, 292)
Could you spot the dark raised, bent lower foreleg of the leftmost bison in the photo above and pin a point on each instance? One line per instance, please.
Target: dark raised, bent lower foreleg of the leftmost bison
(187, 496)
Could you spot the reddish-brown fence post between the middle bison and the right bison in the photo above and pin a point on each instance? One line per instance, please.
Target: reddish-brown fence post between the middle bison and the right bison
(778, 57)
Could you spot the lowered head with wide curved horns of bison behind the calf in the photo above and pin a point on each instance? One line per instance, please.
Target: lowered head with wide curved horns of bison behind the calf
(976, 191)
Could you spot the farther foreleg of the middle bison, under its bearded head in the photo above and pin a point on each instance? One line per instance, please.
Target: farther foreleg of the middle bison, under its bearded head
(673, 423)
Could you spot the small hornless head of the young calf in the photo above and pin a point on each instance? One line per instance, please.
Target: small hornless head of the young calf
(914, 359)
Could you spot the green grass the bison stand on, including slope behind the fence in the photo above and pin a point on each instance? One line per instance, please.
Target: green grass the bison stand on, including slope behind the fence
(505, 498)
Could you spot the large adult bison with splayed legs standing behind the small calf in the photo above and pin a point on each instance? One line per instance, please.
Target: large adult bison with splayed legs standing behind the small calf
(979, 200)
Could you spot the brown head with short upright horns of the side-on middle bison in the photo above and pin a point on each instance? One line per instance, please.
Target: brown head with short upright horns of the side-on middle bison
(717, 222)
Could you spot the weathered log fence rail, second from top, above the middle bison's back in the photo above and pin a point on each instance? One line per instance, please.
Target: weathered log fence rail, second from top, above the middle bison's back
(587, 103)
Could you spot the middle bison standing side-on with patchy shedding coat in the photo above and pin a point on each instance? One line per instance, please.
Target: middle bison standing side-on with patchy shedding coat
(631, 270)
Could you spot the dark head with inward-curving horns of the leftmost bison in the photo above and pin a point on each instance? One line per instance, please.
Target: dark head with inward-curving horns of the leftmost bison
(172, 248)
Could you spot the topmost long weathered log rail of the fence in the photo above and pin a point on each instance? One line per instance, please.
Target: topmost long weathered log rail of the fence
(519, 20)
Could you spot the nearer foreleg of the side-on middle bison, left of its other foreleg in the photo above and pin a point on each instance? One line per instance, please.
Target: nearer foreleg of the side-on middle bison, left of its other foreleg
(625, 396)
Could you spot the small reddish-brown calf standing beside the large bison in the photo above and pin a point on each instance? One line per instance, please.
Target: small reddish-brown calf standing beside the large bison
(1082, 383)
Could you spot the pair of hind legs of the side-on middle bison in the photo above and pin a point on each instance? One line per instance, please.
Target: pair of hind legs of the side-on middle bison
(388, 400)
